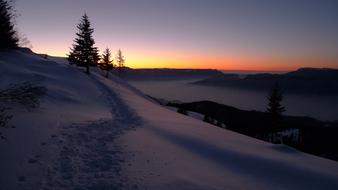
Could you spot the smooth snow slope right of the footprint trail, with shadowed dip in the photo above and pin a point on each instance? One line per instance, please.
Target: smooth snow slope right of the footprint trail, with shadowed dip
(173, 151)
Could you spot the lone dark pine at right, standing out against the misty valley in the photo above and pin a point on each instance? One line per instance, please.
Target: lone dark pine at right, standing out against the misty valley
(274, 106)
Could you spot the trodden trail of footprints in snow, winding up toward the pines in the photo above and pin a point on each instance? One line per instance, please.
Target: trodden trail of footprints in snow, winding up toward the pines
(89, 157)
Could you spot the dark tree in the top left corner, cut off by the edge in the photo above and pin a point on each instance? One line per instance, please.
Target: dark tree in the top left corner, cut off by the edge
(8, 36)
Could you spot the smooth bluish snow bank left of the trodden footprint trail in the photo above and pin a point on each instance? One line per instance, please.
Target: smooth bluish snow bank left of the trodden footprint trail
(71, 98)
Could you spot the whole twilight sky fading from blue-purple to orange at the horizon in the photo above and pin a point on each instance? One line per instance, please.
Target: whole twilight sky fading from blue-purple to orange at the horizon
(275, 35)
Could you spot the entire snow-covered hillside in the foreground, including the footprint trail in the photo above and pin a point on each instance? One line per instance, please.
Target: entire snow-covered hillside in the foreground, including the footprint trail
(96, 133)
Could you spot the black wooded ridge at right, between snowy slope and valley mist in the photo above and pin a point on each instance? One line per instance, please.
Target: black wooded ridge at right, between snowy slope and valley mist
(309, 135)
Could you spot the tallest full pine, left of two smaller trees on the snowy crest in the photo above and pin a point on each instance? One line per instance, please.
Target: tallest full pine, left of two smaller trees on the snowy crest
(83, 53)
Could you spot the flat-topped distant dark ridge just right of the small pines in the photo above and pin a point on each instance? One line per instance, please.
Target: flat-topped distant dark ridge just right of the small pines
(169, 74)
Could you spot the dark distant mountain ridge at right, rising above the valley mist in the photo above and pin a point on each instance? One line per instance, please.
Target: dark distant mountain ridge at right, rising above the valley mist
(303, 80)
